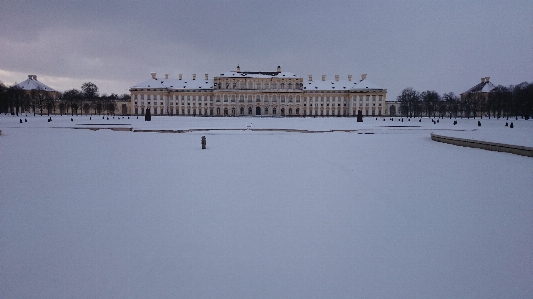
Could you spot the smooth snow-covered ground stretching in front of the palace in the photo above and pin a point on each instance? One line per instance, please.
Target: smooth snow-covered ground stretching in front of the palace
(380, 212)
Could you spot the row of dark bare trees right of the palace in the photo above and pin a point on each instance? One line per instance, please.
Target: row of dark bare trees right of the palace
(502, 101)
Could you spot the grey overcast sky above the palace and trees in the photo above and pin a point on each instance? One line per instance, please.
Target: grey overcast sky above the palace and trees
(445, 46)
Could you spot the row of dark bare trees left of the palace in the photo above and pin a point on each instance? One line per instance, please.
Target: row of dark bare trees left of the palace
(87, 100)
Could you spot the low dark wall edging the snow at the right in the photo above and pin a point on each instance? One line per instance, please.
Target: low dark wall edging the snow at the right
(491, 146)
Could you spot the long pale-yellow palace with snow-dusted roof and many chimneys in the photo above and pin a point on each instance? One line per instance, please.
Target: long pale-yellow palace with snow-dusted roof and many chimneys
(238, 93)
